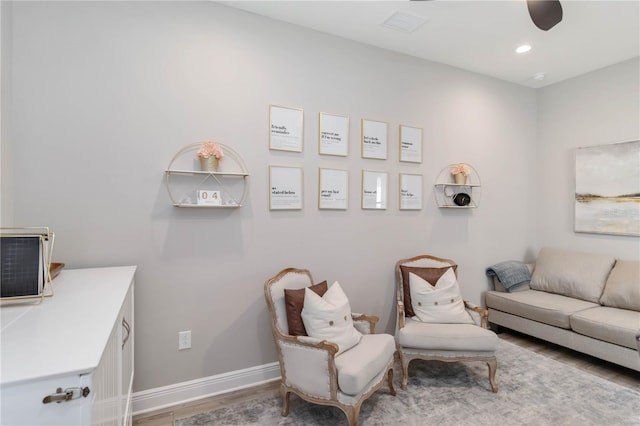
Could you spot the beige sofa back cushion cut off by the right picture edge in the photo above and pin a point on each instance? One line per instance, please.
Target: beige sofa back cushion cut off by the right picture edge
(623, 286)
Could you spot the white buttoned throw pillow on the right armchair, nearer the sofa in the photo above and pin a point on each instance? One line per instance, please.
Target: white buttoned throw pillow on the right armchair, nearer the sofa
(442, 303)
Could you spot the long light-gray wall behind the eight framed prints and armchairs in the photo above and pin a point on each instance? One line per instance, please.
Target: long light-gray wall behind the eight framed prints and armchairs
(104, 94)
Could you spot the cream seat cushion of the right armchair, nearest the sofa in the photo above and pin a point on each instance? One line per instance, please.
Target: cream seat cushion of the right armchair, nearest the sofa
(451, 337)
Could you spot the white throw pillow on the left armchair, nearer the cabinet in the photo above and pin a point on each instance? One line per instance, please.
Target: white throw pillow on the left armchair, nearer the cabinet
(329, 317)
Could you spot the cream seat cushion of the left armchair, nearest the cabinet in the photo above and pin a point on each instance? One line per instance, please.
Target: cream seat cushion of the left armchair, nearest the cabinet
(358, 366)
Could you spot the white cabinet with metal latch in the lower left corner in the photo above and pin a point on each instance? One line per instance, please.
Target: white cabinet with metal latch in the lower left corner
(81, 339)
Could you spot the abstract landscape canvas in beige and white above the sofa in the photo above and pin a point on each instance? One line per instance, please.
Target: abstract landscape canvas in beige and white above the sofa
(607, 198)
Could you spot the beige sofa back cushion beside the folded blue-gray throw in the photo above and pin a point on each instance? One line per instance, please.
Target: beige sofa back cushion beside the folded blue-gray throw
(570, 273)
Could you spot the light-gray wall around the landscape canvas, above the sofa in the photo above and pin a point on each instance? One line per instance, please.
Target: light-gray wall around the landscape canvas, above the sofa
(601, 107)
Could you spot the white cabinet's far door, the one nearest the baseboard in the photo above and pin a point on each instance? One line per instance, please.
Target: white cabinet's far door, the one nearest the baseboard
(127, 347)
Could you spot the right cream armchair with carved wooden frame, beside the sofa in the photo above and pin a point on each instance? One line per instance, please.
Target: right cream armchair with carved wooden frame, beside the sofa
(440, 341)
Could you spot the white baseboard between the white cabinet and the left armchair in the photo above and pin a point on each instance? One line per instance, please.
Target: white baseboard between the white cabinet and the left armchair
(179, 393)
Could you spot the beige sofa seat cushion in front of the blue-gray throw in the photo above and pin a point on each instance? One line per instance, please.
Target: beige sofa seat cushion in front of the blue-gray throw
(547, 308)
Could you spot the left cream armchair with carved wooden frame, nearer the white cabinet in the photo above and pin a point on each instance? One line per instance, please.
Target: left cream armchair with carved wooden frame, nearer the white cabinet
(310, 368)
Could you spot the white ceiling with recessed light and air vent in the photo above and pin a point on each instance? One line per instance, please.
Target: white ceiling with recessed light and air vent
(479, 36)
